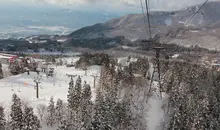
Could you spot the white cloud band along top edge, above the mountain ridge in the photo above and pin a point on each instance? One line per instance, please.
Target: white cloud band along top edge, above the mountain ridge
(155, 4)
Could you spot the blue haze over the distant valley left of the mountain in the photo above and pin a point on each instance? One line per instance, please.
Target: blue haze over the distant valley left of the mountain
(24, 20)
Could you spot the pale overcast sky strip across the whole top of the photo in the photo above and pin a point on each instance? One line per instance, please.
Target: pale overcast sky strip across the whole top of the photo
(111, 5)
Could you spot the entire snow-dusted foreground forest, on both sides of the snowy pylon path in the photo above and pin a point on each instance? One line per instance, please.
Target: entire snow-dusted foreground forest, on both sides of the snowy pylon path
(121, 102)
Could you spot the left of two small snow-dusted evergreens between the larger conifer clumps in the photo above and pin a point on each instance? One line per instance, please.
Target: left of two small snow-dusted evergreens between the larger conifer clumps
(51, 119)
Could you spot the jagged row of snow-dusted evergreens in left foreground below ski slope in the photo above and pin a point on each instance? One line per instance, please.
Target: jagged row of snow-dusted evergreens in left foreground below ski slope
(79, 113)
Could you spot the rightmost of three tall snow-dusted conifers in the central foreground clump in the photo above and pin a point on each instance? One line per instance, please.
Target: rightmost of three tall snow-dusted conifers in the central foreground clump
(86, 106)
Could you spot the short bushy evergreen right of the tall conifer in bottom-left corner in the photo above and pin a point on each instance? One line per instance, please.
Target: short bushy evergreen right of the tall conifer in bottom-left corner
(30, 122)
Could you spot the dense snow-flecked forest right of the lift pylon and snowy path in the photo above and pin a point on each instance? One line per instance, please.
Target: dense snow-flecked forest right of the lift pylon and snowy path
(193, 96)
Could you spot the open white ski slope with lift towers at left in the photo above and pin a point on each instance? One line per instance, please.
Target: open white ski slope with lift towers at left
(57, 86)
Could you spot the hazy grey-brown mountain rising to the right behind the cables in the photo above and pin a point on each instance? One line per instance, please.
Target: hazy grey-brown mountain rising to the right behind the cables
(203, 29)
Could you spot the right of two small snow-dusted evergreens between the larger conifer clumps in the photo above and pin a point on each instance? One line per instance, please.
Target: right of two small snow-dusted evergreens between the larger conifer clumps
(59, 110)
